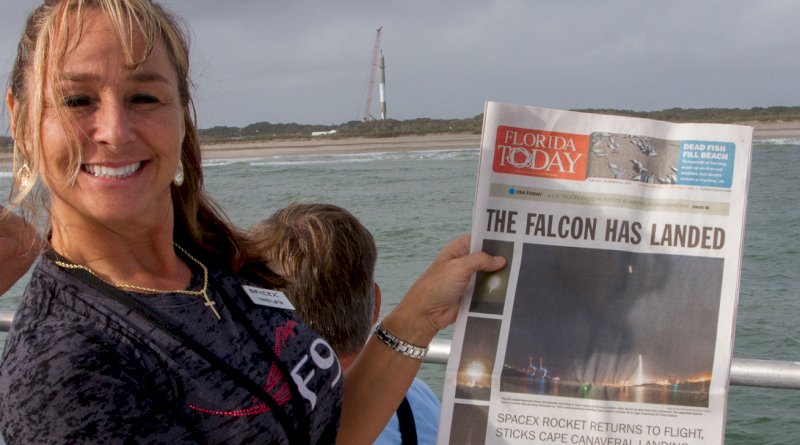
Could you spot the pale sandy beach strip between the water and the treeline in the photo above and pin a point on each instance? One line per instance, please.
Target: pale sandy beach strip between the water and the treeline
(231, 150)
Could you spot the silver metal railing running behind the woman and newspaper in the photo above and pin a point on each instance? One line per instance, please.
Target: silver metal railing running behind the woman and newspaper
(744, 371)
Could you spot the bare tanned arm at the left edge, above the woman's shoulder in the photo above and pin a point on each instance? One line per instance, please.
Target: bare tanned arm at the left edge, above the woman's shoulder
(19, 246)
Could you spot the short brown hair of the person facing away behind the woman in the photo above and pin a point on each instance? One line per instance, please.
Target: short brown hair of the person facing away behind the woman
(327, 259)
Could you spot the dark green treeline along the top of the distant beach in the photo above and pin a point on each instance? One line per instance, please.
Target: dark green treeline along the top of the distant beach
(391, 127)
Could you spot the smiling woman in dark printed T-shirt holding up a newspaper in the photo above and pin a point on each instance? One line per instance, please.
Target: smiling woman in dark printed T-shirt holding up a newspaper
(146, 320)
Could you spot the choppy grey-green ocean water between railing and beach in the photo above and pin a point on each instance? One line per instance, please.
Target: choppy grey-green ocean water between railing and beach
(415, 202)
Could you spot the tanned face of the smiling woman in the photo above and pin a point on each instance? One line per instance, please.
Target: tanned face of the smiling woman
(130, 128)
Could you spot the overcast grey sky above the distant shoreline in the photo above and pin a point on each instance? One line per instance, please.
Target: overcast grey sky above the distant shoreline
(309, 61)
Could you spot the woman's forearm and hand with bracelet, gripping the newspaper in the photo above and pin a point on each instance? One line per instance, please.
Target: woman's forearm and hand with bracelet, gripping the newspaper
(379, 378)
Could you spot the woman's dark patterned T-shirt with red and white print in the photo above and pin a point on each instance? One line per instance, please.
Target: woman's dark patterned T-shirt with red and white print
(79, 367)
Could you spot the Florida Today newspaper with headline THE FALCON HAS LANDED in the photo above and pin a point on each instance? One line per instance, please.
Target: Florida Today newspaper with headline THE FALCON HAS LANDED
(613, 321)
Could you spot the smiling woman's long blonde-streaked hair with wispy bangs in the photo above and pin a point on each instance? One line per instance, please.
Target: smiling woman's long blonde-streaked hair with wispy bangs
(46, 40)
